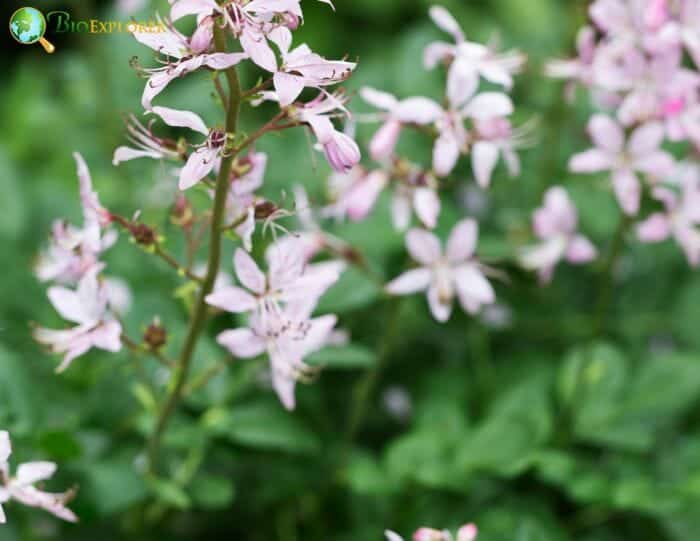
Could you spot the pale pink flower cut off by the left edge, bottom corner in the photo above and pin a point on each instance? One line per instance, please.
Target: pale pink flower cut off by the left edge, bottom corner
(20, 487)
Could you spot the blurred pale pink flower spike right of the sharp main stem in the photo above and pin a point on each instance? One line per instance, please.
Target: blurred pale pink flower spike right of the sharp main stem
(472, 122)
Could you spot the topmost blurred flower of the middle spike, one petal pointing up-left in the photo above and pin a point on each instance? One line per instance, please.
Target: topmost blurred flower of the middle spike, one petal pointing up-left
(469, 60)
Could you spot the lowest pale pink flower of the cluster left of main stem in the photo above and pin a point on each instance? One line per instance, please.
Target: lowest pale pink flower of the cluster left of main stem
(88, 306)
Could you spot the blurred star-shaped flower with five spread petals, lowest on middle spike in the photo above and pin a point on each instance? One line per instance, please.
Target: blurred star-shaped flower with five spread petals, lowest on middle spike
(443, 275)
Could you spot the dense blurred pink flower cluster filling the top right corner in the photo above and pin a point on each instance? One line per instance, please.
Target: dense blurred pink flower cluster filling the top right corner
(640, 61)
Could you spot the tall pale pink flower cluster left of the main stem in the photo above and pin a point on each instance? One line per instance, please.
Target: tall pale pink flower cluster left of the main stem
(80, 294)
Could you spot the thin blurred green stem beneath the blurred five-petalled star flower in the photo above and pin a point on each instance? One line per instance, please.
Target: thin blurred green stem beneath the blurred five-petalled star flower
(363, 391)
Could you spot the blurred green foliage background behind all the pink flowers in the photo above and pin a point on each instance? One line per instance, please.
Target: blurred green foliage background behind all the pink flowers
(540, 421)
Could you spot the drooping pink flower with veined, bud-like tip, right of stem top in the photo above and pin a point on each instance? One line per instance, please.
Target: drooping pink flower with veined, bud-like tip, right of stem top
(340, 149)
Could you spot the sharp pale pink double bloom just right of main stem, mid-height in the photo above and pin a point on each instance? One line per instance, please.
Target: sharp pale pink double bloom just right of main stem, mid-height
(279, 304)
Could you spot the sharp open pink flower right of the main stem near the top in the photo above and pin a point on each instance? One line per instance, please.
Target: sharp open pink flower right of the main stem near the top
(302, 68)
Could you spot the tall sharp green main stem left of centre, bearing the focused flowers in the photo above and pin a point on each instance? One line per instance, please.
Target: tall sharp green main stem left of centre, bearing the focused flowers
(200, 309)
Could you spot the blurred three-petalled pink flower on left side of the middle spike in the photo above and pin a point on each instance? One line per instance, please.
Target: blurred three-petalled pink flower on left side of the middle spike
(416, 110)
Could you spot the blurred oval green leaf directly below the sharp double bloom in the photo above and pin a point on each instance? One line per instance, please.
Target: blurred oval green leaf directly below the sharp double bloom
(263, 425)
